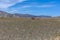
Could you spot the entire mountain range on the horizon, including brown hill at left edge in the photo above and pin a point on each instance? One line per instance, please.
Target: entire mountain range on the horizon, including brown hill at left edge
(5, 14)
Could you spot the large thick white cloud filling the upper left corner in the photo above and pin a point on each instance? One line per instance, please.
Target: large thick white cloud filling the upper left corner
(8, 3)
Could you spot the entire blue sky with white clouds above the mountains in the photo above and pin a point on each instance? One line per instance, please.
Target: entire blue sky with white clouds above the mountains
(34, 7)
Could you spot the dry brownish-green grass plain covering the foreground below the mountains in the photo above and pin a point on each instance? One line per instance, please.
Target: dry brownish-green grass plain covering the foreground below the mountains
(28, 29)
